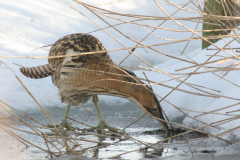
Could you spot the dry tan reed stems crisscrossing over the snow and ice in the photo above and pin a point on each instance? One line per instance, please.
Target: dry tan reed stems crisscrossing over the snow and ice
(63, 141)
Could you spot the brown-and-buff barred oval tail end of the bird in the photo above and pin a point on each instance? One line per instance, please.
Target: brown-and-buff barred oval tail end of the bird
(38, 72)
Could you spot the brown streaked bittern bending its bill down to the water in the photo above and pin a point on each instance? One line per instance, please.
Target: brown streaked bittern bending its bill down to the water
(80, 76)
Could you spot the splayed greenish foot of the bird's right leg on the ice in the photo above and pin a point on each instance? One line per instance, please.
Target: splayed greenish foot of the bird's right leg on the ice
(100, 128)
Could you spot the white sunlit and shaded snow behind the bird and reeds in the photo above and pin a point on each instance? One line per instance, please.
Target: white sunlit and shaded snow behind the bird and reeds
(27, 25)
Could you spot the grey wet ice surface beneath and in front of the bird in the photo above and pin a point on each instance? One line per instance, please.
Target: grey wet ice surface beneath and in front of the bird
(120, 115)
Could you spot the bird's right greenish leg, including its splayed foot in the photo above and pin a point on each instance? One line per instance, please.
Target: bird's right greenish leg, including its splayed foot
(102, 125)
